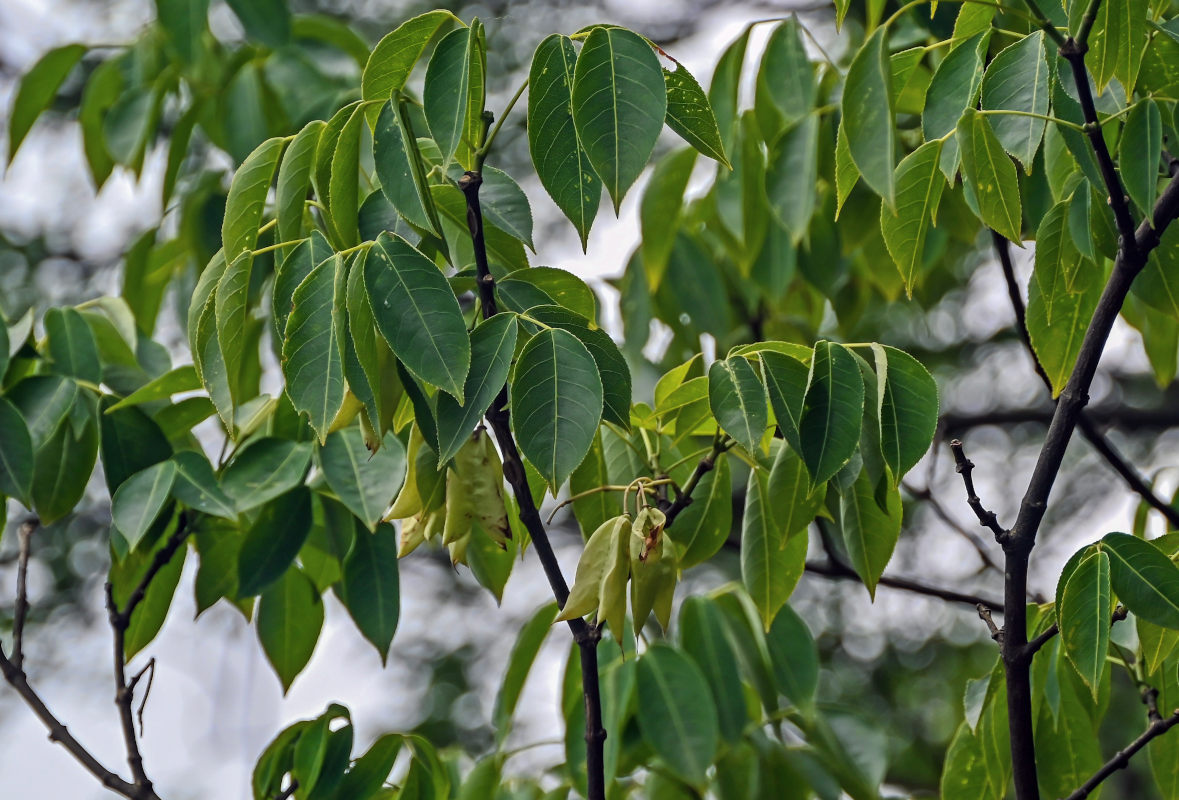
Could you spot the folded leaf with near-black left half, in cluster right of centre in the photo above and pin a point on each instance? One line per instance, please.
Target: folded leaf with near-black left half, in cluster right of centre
(829, 431)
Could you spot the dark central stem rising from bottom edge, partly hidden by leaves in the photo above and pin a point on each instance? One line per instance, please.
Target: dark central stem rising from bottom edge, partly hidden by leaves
(499, 420)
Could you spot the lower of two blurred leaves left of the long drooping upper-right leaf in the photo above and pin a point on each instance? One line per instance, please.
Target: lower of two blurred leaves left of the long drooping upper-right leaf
(793, 175)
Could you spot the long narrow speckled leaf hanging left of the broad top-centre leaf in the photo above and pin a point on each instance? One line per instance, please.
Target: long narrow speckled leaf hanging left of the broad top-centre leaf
(562, 164)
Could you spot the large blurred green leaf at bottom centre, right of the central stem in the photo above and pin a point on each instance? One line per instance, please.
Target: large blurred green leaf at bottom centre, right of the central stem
(677, 715)
